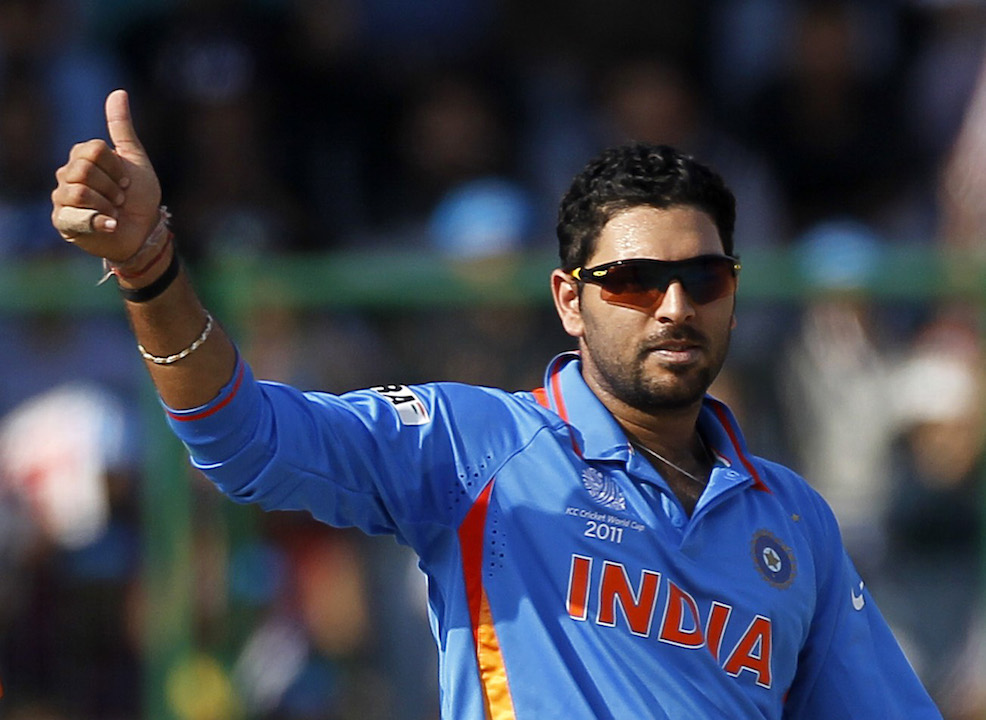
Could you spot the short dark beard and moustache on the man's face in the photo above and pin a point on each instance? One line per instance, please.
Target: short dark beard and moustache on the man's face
(633, 379)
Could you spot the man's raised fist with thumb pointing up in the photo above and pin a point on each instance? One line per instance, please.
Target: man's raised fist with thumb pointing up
(107, 198)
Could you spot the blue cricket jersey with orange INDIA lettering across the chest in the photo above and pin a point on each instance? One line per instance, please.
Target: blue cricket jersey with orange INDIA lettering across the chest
(565, 579)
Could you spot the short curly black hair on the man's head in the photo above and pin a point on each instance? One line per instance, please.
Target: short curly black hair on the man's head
(636, 174)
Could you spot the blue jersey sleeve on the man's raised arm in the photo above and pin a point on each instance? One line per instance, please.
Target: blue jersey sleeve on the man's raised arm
(385, 460)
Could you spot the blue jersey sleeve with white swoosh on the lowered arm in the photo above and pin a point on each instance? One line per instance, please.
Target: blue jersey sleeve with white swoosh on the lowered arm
(851, 666)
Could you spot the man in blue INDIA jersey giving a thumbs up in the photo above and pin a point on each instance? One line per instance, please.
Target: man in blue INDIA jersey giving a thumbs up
(603, 547)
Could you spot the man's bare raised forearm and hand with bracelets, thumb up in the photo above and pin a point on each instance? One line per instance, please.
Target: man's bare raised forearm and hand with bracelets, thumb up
(107, 202)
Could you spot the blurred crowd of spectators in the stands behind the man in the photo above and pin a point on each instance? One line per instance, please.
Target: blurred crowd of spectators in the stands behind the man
(849, 131)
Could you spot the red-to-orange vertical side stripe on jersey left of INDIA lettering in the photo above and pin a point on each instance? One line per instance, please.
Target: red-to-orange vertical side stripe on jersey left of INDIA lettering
(492, 671)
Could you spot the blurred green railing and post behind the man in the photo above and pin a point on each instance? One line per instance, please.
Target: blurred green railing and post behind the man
(376, 280)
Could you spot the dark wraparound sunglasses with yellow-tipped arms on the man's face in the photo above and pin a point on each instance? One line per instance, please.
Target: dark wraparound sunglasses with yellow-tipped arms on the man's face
(641, 283)
